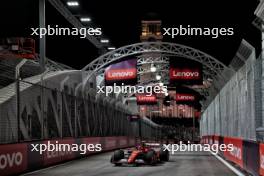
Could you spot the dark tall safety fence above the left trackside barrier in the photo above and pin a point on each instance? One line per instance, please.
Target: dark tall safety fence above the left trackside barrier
(46, 112)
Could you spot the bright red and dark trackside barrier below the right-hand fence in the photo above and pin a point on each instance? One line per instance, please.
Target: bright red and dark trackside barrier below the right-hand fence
(248, 155)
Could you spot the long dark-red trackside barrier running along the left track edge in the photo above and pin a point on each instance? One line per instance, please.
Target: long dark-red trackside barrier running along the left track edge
(18, 158)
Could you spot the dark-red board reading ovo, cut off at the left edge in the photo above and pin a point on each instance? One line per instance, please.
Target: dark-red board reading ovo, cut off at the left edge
(13, 158)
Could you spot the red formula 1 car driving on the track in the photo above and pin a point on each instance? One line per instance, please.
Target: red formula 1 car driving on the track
(146, 153)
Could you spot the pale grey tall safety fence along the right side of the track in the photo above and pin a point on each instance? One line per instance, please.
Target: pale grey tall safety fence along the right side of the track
(237, 110)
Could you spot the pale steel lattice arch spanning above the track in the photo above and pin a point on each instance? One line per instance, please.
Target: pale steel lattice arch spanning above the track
(211, 65)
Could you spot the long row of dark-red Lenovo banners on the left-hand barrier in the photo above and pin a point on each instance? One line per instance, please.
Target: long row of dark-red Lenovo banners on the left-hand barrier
(18, 158)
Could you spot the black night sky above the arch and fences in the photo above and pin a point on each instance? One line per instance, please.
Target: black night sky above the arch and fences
(120, 21)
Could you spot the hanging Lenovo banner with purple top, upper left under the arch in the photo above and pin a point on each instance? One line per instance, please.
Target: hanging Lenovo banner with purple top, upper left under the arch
(122, 72)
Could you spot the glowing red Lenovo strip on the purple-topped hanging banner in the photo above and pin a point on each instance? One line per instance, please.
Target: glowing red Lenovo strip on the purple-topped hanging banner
(121, 74)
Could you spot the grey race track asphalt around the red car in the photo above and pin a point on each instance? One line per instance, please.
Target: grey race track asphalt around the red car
(180, 164)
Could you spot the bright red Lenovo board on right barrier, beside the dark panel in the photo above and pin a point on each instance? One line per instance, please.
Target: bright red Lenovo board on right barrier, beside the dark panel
(236, 155)
